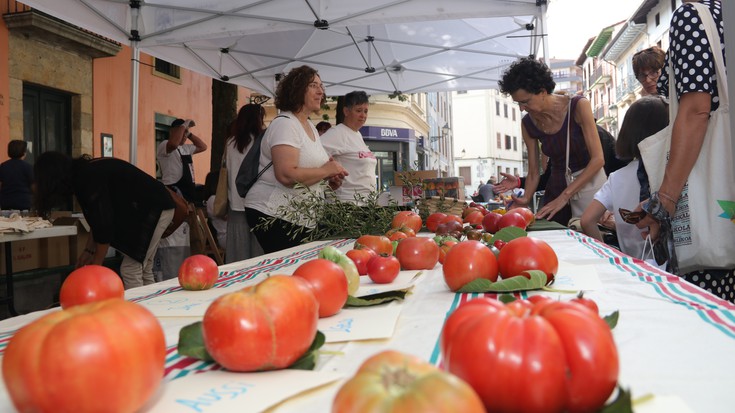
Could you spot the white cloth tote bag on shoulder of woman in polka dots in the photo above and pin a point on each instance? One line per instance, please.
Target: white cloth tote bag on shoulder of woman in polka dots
(703, 226)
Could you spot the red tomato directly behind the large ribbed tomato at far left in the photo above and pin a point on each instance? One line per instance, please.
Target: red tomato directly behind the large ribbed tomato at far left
(88, 284)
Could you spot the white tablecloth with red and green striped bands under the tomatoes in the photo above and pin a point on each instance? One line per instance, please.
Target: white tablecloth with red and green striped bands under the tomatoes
(674, 339)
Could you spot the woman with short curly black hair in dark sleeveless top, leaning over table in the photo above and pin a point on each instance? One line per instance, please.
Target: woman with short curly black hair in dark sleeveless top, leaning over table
(561, 124)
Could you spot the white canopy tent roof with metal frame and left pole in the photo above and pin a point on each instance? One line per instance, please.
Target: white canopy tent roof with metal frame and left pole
(380, 46)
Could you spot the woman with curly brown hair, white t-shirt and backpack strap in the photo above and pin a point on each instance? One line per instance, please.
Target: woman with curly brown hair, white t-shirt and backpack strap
(291, 144)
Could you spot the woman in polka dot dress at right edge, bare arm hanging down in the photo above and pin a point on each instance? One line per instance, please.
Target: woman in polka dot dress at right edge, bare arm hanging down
(696, 89)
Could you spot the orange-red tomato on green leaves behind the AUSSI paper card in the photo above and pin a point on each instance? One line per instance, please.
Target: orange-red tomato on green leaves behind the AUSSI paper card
(267, 326)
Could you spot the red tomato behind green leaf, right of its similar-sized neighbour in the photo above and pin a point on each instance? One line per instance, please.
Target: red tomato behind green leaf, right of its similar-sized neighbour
(527, 253)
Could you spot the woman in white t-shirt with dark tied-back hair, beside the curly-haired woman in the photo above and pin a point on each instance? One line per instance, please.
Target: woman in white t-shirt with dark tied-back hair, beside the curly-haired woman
(346, 145)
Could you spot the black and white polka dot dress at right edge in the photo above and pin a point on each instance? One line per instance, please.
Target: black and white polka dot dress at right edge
(694, 71)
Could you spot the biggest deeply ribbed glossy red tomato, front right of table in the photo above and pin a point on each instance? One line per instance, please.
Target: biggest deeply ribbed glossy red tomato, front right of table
(561, 357)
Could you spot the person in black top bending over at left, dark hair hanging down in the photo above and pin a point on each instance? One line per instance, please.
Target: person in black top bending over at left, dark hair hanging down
(125, 208)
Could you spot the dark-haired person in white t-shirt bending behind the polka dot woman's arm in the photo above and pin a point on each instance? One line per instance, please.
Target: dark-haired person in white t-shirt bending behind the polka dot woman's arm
(645, 117)
